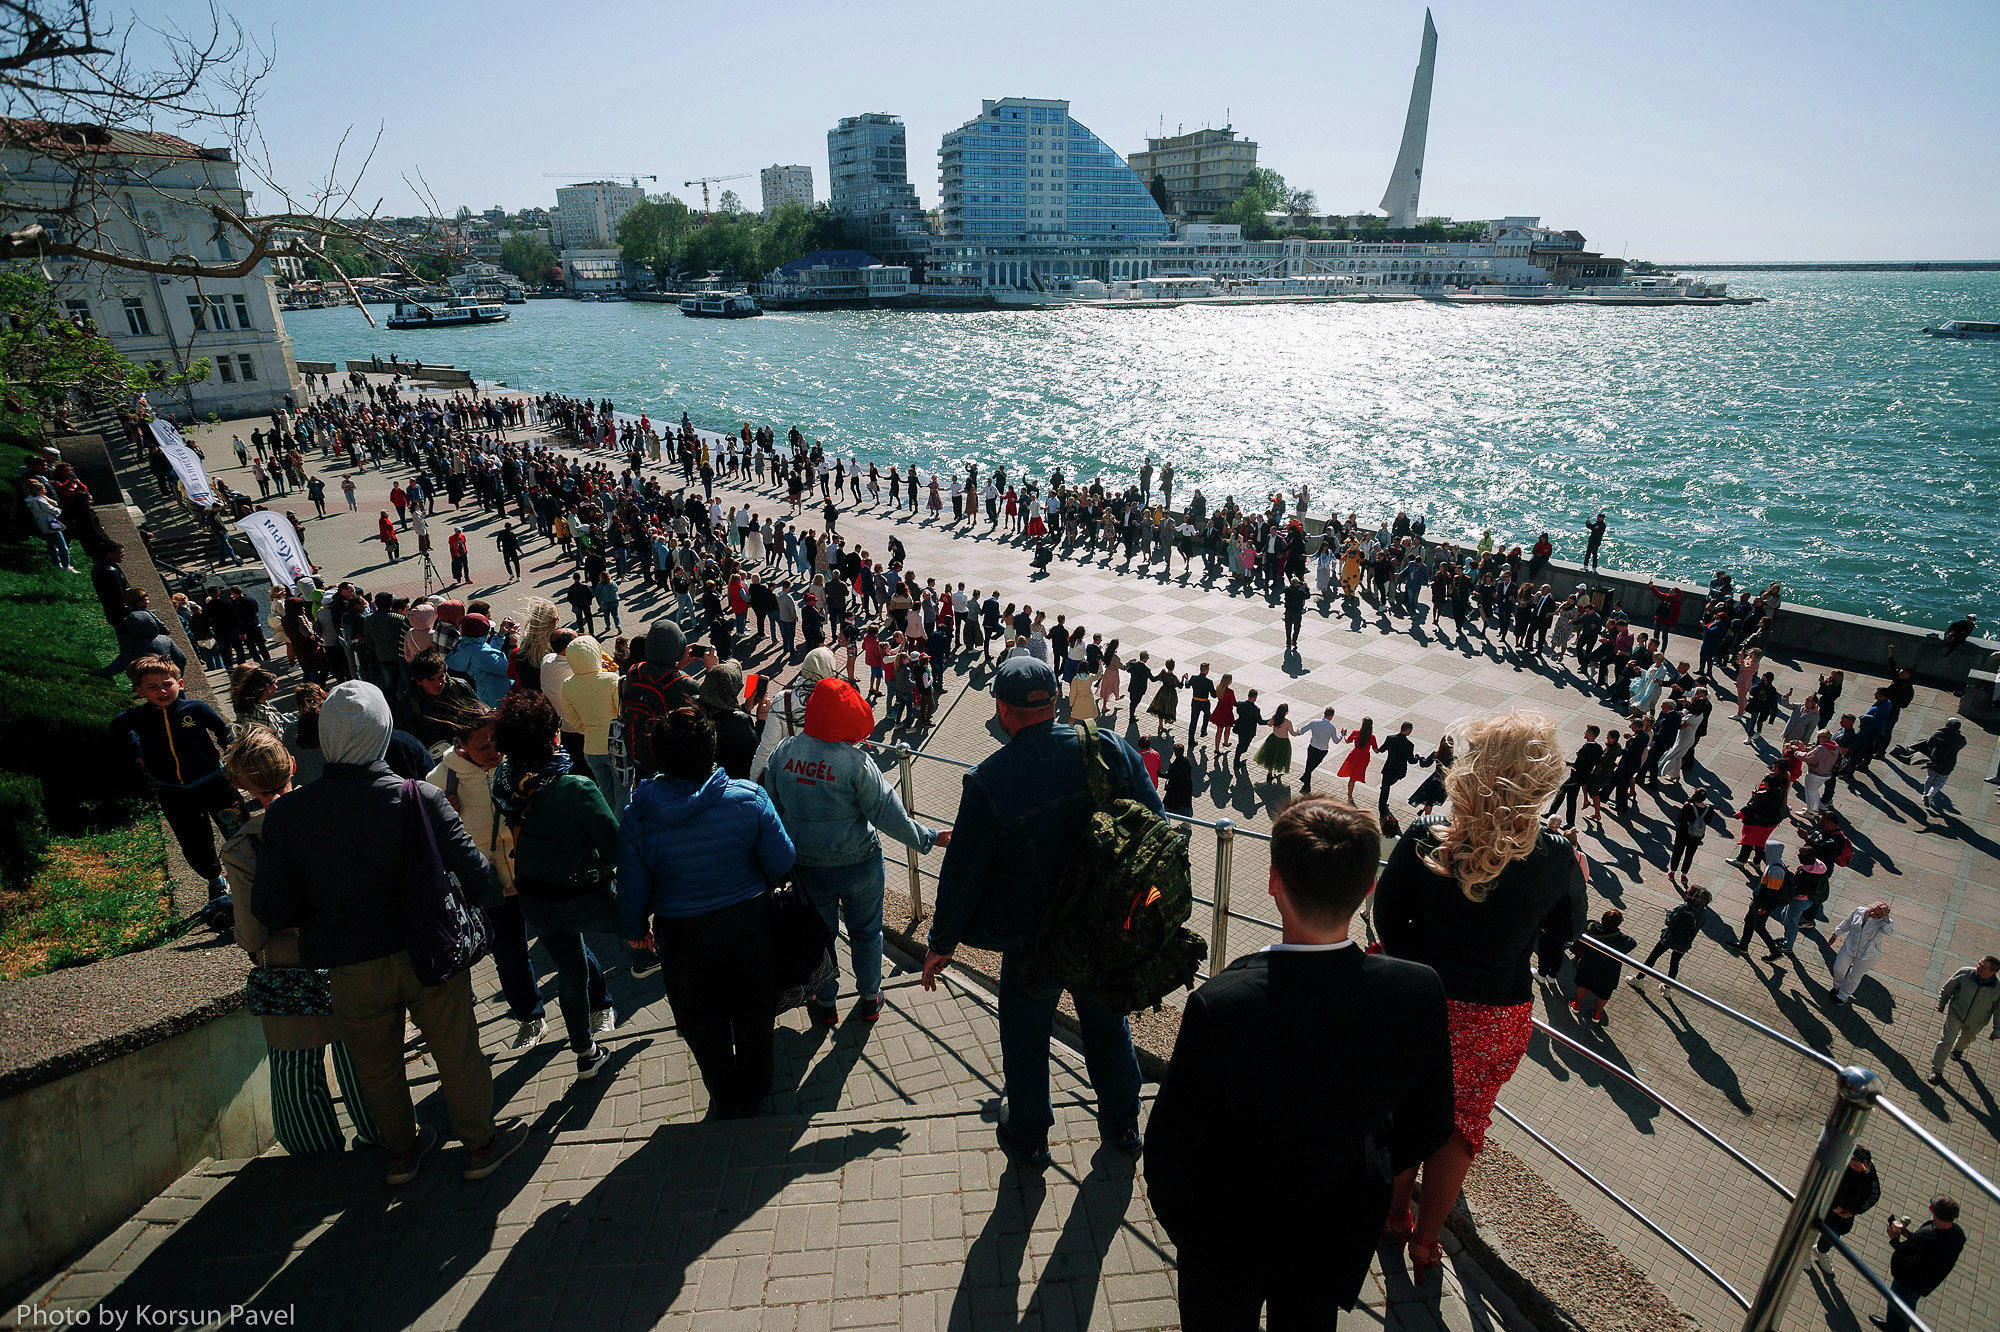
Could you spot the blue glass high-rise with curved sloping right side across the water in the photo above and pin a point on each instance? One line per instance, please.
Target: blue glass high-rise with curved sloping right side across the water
(1031, 193)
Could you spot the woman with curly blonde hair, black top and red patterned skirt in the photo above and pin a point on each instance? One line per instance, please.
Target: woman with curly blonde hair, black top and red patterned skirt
(1471, 895)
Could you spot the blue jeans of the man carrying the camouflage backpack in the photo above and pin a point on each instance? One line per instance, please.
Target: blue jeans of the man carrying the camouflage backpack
(1027, 1021)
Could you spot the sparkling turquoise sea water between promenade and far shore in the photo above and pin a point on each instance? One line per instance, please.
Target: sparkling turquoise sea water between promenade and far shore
(1819, 439)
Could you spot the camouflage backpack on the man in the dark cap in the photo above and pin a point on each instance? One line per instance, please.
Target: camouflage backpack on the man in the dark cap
(1119, 925)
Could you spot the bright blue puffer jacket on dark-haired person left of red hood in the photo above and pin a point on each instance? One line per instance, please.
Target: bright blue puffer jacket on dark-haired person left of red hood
(689, 849)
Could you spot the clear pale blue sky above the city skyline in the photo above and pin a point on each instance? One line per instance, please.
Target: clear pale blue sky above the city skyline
(1667, 131)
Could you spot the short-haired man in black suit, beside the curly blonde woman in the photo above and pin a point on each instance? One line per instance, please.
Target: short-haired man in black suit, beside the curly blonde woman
(1303, 1081)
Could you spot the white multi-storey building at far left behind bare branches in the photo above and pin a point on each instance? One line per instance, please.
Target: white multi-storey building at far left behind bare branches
(161, 213)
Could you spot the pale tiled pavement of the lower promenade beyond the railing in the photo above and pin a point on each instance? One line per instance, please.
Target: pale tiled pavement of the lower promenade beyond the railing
(1941, 877)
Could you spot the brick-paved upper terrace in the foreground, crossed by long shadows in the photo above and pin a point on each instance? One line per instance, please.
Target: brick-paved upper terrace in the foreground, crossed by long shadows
(871, 1197)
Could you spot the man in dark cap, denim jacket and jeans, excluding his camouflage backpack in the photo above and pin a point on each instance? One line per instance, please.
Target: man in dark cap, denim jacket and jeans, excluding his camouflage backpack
(1023, 815)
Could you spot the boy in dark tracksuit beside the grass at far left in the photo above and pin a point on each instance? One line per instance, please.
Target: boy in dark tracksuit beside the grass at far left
(179, 743)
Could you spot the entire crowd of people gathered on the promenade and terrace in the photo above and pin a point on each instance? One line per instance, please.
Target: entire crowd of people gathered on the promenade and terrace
(653, 789)
